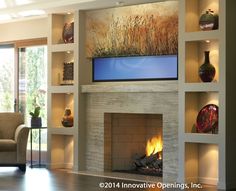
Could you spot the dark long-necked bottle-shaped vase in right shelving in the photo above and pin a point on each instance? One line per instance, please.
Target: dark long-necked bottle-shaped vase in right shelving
(207, 70)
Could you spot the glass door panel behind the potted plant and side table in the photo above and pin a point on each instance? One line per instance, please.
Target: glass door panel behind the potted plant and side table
(33, 88)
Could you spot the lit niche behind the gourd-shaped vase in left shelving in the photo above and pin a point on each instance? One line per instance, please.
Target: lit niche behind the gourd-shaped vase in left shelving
(61, 101)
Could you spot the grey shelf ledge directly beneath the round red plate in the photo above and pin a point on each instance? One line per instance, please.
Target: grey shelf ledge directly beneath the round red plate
(201, 138)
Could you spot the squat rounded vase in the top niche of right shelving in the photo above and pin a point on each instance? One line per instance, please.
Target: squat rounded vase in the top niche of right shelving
(208, 21)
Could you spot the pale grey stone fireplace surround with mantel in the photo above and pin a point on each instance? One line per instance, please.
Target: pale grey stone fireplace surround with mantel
(159, 97)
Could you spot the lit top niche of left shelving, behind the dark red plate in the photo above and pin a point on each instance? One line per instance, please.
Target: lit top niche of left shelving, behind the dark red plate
(58, 23)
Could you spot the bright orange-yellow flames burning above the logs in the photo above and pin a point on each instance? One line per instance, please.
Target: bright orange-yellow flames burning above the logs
(153, 146)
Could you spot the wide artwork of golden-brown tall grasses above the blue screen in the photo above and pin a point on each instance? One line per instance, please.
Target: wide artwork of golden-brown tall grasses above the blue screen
(149, 29)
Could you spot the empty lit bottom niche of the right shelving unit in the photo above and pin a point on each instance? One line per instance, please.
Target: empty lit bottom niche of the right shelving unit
(201, 163)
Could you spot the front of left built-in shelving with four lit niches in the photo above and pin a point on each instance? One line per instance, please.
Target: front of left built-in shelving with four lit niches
(62, 94)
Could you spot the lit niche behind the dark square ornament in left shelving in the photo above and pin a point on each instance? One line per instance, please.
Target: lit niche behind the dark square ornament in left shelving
(58, 60)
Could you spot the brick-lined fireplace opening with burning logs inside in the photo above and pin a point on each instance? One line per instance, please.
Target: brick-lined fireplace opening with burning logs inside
(133, 143)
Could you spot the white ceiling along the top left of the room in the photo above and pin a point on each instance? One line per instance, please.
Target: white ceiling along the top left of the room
(15, 10)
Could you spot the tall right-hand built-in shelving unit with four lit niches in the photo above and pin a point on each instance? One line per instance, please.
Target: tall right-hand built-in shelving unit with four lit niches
(201, 155)
